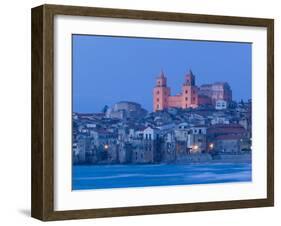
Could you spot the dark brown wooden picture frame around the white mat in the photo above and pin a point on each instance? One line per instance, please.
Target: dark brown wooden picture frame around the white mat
(42, 203)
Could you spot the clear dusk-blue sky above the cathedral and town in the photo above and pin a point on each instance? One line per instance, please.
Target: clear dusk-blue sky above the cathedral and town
(107, 69)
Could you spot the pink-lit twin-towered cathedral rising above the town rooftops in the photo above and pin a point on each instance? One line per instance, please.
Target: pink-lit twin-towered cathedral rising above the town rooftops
(191, 96)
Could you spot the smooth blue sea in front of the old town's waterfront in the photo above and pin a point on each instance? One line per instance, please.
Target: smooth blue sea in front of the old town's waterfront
(121, 176)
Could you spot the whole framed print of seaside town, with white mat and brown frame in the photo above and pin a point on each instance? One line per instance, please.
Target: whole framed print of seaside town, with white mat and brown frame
(141, 112)
